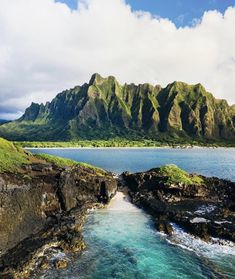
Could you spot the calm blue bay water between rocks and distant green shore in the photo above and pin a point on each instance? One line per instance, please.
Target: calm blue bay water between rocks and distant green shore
(212, 162)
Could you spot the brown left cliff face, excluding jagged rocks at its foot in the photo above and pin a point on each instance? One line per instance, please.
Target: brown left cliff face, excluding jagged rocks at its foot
(27, 202)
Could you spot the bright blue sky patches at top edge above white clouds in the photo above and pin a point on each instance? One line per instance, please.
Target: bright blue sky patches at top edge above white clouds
(181, 12)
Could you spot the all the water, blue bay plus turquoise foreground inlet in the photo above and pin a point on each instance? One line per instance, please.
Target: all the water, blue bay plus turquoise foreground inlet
(122, 242)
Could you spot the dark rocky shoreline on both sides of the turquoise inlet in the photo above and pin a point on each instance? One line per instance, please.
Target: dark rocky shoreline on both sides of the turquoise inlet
(43, 209)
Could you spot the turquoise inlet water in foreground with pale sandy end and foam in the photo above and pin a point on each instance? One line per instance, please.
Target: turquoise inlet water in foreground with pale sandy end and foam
(122, 244)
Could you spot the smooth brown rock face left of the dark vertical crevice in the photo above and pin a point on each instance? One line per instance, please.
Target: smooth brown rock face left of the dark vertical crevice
(24, 208)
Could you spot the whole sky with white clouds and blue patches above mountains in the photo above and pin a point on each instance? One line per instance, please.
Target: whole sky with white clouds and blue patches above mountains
(47, 46)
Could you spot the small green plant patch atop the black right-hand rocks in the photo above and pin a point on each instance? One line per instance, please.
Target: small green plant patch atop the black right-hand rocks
(176, 175)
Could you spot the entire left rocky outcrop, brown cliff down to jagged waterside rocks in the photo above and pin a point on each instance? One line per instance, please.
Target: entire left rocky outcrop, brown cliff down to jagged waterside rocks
(44, 207)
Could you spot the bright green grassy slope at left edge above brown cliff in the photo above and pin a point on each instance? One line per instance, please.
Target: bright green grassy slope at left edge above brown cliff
(11, 157)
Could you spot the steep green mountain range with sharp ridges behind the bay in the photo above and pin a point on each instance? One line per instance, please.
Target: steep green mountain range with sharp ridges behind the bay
(104, 109)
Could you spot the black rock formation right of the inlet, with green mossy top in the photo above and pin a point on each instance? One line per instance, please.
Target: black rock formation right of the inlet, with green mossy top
(204, 207)
